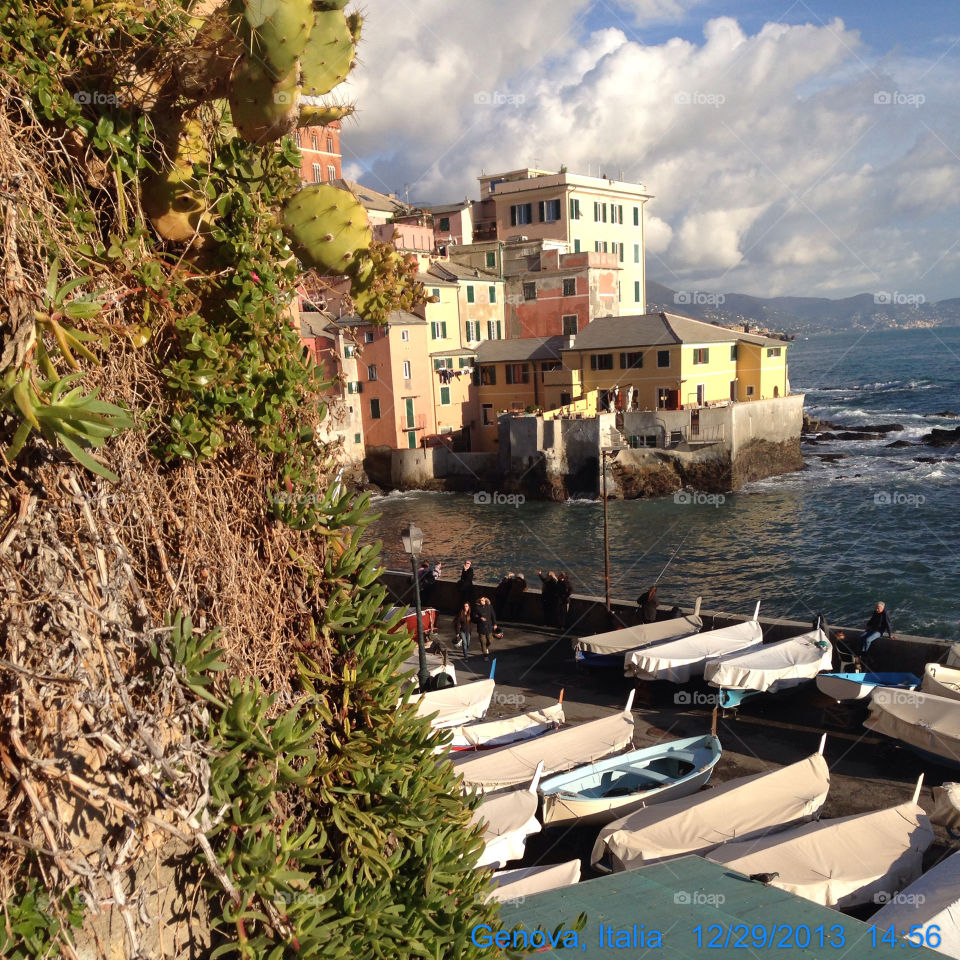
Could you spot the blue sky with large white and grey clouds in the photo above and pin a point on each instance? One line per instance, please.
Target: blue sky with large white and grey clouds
(807, 148)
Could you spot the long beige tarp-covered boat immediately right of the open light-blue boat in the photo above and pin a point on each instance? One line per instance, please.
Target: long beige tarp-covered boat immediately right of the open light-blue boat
(738, 810)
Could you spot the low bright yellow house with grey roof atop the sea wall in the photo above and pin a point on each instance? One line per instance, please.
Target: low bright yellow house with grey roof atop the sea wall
(673, 362)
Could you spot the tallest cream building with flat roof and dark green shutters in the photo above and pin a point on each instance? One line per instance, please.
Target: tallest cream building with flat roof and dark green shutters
(592, 214)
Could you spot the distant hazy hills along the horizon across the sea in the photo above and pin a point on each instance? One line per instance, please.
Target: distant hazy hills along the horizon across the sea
(798, 315)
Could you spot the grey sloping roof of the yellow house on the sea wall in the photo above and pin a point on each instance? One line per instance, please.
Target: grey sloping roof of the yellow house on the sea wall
(655, 329)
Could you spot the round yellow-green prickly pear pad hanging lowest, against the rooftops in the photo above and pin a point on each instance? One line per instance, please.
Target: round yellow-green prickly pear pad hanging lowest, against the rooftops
(327, 226)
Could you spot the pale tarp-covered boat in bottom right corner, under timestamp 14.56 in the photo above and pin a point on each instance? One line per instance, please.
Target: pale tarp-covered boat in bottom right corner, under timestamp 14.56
(934, 898)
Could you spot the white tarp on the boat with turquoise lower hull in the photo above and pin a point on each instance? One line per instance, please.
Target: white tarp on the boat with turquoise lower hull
(772, 666)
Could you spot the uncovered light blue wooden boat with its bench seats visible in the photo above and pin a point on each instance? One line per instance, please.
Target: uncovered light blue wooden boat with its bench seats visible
(611, 788)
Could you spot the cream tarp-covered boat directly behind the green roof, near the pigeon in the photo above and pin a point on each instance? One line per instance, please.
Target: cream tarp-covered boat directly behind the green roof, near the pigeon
(839, 863)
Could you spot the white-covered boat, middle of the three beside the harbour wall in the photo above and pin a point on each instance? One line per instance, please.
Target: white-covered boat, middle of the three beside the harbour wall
(680, 660)
